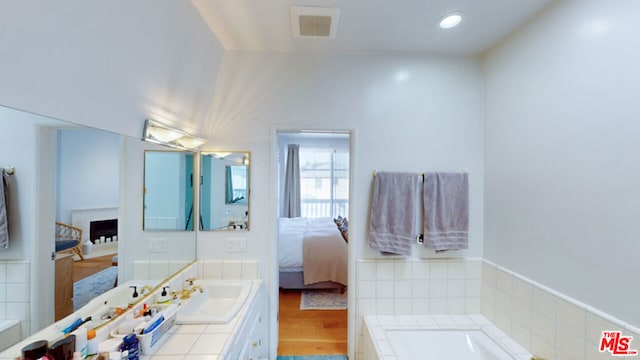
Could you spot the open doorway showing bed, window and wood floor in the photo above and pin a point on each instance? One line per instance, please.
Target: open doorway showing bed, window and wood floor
(312, 311)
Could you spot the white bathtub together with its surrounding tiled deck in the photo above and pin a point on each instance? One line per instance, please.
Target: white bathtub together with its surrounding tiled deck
(435, 337)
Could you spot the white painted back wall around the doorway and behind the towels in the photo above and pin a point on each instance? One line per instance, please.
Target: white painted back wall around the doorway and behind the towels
(408, 113)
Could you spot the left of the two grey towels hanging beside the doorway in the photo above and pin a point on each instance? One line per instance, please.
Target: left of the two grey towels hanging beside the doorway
(393, 212)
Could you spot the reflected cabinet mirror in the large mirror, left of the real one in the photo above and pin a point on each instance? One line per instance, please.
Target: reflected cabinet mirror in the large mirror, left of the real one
(168, 191)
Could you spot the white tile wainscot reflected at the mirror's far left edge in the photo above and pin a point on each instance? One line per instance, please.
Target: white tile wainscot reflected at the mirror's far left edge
(15, 284)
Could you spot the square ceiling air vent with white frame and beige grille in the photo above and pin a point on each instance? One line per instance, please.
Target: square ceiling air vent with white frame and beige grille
(312, 21)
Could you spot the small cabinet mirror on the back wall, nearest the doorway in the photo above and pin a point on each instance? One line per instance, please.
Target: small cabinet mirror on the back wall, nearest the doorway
(224, 192)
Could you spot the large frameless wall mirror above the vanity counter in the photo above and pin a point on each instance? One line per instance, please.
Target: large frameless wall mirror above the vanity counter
(79, 181)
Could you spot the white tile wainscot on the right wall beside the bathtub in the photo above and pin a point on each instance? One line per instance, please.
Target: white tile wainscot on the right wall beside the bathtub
(548, 323)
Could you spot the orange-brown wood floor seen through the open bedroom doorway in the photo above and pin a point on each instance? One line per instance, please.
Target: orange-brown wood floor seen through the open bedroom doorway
(310, 332)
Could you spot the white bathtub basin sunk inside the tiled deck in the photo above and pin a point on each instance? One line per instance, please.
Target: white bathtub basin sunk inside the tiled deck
(444, 344)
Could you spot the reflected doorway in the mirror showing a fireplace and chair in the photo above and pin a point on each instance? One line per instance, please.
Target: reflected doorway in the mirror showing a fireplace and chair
(87, 195)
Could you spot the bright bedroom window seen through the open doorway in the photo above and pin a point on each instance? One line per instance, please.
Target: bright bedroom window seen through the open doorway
(324, 181)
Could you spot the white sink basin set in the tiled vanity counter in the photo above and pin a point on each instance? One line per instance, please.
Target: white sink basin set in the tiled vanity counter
(217, 304)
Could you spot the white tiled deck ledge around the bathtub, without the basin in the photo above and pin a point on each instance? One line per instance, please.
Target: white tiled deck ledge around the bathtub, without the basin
(377, 346)
